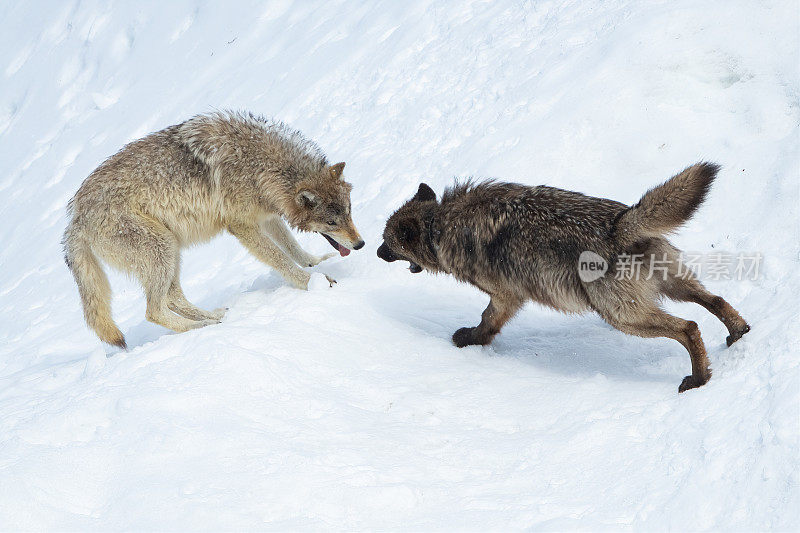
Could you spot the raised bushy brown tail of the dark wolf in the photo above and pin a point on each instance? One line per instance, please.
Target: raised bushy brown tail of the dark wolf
(666, 207)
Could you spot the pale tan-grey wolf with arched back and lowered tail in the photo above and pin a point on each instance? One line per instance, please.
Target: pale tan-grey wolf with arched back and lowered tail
(183, 185)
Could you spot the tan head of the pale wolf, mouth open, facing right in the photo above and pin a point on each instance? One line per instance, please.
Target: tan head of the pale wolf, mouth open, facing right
(323, 205)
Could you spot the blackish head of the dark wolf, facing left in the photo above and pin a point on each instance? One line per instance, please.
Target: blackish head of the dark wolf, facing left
(408, 233)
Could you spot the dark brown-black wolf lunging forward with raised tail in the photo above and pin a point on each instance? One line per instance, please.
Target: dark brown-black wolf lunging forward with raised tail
(518, 243)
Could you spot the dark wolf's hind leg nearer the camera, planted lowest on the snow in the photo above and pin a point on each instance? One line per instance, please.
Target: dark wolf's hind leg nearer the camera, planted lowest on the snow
(654, 322)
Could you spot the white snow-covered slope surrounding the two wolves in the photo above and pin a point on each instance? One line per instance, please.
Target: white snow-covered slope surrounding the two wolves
(349, 408)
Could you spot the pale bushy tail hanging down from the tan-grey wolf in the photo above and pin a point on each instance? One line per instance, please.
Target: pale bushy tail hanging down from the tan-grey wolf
(94, 290)
